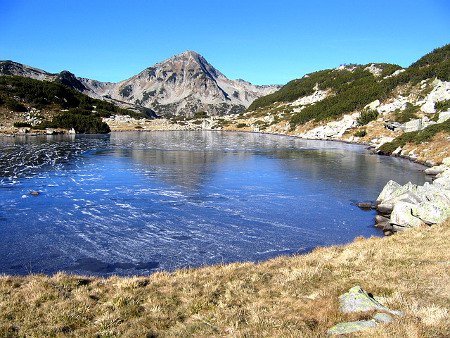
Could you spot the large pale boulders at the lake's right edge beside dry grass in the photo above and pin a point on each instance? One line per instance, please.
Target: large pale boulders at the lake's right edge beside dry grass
(410, 205)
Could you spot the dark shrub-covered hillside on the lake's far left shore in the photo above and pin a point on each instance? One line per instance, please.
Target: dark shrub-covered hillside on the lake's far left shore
(39, 104)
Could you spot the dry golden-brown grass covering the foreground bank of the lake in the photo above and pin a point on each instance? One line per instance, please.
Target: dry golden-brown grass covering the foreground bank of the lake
(284, 297)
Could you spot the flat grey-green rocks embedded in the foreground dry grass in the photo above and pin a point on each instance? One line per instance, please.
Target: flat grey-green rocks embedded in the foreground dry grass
(358, 300)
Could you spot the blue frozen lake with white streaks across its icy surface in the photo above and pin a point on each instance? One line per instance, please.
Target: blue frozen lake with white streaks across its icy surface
(137, 202)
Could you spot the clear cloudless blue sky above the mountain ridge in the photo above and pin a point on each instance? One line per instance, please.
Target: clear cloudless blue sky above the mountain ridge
(263, 42)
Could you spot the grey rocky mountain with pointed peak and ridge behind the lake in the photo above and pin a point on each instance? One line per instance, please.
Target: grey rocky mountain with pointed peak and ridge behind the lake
(181, 85)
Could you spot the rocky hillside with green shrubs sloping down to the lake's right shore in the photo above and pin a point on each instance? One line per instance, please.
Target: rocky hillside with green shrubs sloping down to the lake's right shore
(372, 104)
